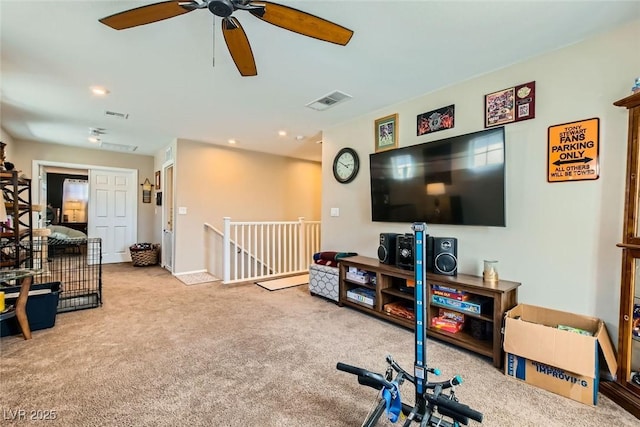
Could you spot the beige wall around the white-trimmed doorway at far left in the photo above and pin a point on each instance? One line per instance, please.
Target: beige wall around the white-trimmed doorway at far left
(24, 152)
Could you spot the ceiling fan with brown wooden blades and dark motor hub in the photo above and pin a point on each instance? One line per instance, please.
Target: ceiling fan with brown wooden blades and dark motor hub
(236, 39)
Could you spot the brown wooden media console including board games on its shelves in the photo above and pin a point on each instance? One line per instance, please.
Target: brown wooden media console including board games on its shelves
(385, 291)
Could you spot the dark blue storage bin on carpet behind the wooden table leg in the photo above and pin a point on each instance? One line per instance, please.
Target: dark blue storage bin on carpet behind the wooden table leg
(41, 307)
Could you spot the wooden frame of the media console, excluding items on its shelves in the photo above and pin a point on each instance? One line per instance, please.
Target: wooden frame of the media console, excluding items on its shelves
(500, 297)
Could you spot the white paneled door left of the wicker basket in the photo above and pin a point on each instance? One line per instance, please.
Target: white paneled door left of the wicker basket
(113, 212)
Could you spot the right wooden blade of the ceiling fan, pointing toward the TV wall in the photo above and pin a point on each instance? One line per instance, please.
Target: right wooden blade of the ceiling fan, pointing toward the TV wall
(301, 22)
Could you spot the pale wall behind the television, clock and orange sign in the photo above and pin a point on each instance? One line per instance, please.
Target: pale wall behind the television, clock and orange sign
(560, 239)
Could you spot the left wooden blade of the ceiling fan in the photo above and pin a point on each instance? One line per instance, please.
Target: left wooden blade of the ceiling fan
(148, 14)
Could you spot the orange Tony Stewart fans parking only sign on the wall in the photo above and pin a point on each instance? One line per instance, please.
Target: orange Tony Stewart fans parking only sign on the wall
(573, 151)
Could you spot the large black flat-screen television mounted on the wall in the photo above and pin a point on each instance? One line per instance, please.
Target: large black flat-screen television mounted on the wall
(458, 180)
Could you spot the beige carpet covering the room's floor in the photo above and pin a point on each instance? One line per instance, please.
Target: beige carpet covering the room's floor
(159, 353)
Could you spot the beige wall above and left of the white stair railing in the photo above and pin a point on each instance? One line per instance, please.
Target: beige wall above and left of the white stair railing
(213, 182)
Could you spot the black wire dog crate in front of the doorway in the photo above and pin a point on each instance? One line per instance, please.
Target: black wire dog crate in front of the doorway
(77, 265)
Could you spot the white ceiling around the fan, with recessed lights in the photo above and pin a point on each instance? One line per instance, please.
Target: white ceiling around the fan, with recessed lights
(161, 74)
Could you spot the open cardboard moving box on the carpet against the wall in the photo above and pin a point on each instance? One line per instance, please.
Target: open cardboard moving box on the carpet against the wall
(561, 361)
